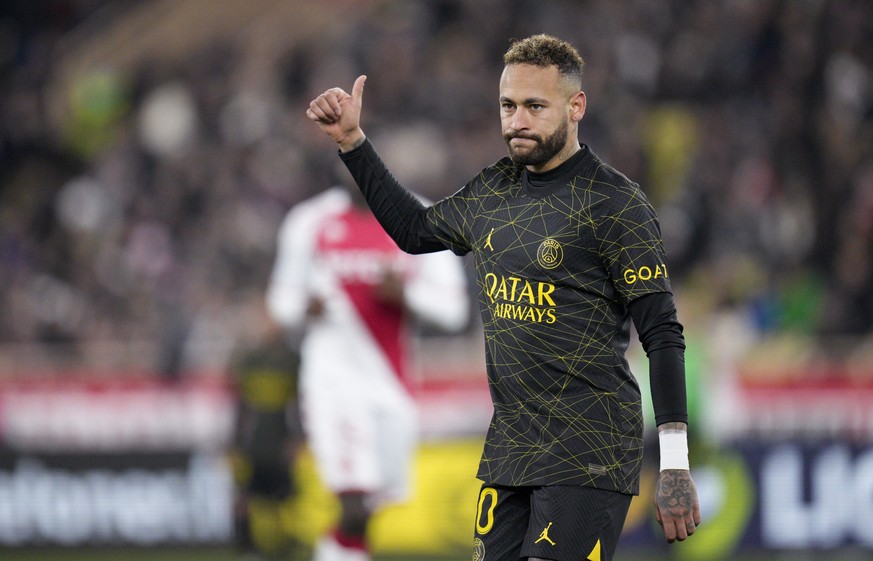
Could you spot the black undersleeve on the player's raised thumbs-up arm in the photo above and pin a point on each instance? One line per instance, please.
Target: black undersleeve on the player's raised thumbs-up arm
(401, 214)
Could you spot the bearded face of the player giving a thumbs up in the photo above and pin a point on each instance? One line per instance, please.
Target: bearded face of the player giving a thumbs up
(538, 113)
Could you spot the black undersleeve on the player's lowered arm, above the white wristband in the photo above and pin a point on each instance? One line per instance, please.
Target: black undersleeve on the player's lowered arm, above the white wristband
(654, 316)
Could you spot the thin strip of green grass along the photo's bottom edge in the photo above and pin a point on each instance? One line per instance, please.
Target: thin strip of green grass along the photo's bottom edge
(226, 554)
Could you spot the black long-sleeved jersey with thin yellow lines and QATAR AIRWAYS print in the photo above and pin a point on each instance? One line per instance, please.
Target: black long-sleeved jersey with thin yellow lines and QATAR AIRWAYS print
(563, 261)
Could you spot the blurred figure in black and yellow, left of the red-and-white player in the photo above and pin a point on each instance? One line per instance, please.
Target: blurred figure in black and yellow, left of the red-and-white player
(268, 436)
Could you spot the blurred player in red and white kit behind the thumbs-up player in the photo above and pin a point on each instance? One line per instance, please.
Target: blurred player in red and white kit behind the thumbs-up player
(346, 284)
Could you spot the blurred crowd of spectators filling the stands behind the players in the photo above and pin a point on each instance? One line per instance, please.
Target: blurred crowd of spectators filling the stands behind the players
(149, 212)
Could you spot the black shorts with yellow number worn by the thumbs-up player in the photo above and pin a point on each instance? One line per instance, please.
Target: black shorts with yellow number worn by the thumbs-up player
(557, 522)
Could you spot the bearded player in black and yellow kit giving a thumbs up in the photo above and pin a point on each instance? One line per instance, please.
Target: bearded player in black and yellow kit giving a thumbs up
(567, 253)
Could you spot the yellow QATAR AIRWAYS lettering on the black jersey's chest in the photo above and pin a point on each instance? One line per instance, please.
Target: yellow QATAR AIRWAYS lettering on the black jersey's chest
(520, 299)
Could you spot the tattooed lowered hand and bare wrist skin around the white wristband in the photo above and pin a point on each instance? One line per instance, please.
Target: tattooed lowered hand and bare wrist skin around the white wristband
(676, 506)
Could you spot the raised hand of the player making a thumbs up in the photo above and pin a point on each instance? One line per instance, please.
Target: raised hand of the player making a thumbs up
(338, 114)
